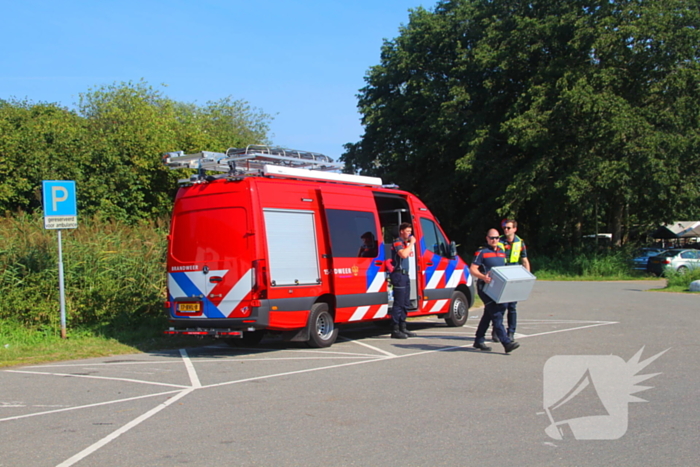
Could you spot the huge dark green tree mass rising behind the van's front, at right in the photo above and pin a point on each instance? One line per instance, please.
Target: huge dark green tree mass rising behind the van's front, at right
(570, 115)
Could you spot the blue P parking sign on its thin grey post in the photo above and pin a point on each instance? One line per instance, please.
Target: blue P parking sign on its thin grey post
(60, 212)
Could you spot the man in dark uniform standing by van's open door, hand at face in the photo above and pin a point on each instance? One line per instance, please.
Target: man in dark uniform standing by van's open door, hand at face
(401, 250)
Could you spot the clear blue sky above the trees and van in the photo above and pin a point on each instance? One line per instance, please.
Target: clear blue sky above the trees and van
(301, 61)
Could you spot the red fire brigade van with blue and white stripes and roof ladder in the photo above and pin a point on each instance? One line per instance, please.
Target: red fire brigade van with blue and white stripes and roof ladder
(283, 242)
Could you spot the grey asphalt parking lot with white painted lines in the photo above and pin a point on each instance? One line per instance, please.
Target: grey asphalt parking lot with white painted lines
(369, 400)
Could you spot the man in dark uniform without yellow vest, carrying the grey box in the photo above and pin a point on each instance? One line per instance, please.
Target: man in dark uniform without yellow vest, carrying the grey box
(485, 259)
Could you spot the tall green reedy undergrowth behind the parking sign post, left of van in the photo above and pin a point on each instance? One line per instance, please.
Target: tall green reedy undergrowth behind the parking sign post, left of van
(114, 273)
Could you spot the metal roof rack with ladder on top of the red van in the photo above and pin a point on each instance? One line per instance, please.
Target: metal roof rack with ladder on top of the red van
(263, 160)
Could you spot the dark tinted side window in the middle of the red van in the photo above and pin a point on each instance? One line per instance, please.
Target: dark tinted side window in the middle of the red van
(349, 233)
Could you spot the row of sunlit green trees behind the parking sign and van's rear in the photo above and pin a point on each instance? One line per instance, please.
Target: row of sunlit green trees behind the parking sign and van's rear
(112, 146)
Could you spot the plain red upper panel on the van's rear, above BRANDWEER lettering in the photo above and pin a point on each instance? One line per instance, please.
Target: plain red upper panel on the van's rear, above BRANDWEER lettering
(209, 234)
